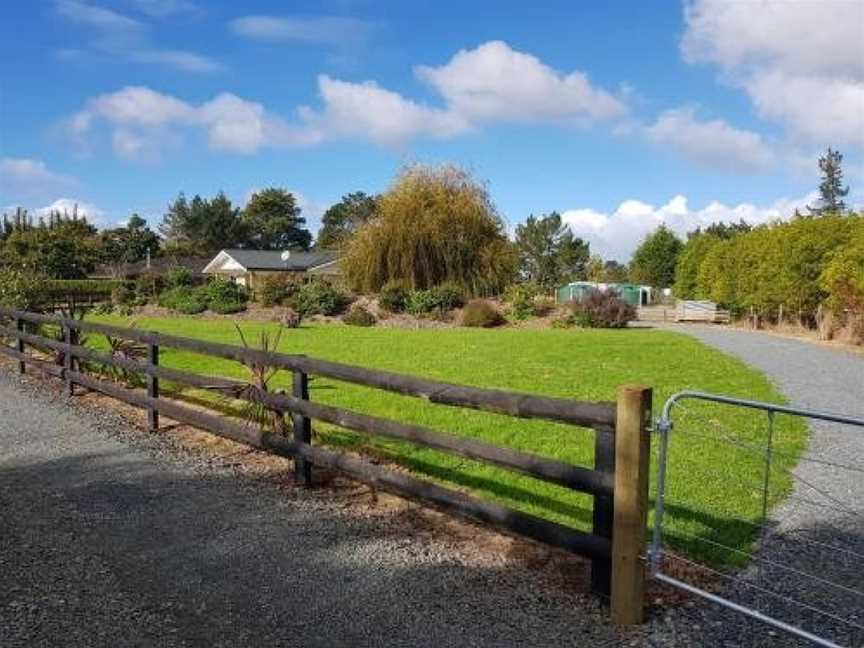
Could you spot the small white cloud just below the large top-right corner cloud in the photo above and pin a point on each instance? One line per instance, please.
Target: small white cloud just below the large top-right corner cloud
(714, 144)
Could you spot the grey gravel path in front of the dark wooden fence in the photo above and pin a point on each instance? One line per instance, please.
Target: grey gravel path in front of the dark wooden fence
(110, 538)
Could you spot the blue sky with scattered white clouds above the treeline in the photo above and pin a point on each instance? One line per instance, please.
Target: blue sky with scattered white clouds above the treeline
(620, 115)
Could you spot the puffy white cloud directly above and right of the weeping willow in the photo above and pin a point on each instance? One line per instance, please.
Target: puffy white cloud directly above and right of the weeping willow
(497, 83)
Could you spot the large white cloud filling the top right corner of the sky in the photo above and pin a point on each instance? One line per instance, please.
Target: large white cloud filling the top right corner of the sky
(800, 62)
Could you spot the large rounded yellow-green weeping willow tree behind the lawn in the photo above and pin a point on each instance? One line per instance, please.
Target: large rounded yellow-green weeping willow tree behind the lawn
(435, 224)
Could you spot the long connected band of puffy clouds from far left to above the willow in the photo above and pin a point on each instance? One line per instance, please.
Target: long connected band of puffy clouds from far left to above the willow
(363, 110)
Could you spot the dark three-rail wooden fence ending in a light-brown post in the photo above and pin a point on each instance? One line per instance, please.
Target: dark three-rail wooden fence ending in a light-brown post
(618, 481)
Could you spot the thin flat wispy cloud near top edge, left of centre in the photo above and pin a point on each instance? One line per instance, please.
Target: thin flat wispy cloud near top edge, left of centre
(337, 32)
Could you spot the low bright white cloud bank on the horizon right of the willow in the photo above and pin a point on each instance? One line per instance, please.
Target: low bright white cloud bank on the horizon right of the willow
(616, 235)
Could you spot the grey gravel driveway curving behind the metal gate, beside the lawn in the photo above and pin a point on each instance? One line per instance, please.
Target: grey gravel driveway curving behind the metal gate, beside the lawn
(820, 378)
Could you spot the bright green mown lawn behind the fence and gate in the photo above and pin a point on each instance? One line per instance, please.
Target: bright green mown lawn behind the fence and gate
(576, 364)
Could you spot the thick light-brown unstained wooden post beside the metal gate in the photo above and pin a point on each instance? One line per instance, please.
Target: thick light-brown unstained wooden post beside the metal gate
(632, 464)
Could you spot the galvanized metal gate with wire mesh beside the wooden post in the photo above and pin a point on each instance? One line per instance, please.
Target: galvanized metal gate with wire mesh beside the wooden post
(783, 539)
